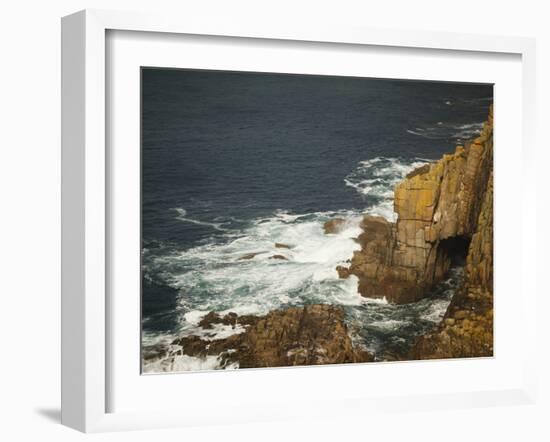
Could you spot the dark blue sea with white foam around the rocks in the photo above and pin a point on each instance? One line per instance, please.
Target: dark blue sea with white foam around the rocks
(233, 163)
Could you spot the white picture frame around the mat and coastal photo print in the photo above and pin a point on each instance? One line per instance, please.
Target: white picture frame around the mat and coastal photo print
(86, 315)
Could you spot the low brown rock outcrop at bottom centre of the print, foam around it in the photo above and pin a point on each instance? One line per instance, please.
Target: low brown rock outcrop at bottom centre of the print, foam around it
(311, 335)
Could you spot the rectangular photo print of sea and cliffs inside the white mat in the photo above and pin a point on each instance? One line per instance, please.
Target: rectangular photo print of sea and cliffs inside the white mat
(298, 220)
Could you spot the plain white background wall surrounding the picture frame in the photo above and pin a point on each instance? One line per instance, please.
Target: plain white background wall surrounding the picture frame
(30, 215)
